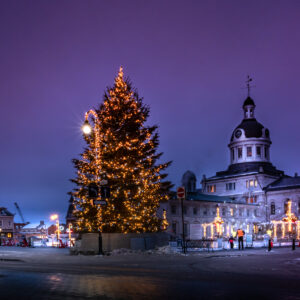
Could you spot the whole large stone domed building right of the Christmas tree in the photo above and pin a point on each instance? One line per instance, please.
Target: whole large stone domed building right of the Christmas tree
(250, 193)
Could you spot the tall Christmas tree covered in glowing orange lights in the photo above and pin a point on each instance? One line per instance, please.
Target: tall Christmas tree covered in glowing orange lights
(122, 150)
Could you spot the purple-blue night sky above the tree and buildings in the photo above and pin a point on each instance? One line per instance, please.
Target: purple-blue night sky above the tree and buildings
(188, 59)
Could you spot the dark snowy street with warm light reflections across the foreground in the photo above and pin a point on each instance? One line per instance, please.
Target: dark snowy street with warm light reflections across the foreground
(47, 273)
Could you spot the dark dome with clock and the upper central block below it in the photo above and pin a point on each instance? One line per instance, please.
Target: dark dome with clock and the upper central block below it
(250, 167)
